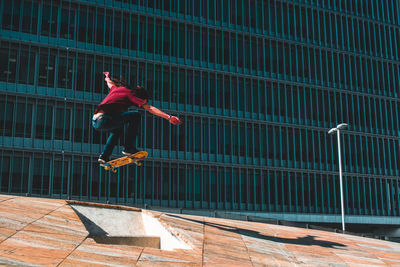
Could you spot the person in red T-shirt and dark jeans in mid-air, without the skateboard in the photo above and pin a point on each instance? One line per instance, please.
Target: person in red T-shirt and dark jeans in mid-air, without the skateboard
(112, 114)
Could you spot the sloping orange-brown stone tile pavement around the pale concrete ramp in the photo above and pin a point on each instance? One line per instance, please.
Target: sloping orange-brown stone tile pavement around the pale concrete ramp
(36, 231)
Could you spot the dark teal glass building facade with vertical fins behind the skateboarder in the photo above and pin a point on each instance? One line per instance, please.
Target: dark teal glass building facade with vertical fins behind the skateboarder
(257, 83)
